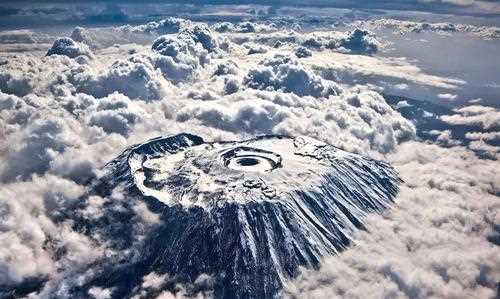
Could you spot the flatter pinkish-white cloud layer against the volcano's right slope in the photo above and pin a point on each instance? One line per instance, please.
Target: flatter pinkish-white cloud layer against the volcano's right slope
(434, 244)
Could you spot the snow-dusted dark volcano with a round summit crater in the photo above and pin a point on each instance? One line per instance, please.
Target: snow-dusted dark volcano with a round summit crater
(248, 213)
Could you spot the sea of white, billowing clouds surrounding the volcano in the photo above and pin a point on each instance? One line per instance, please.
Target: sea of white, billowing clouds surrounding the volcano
(70, 104)
